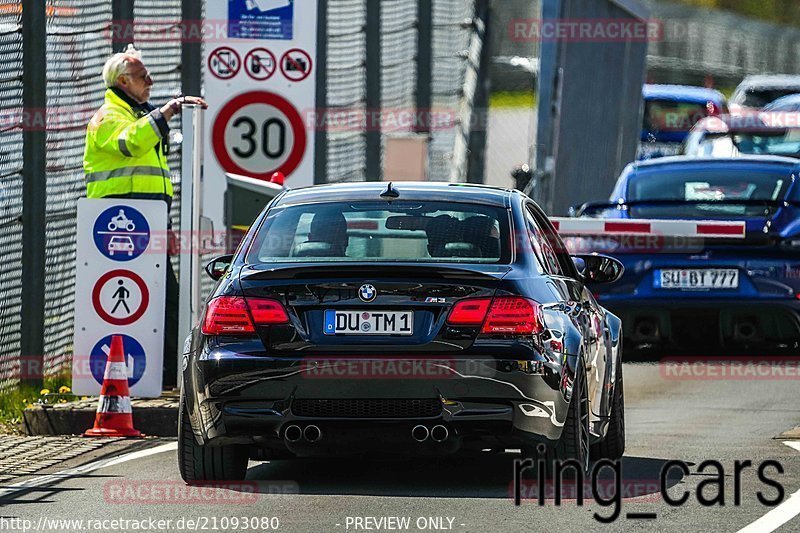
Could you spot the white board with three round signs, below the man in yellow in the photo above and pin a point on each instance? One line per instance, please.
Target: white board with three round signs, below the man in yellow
(120, 289)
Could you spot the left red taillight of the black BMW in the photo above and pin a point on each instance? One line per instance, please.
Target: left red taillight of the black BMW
(231, 315)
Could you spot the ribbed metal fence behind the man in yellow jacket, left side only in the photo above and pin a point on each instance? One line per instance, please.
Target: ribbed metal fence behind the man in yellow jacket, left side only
(78, 37)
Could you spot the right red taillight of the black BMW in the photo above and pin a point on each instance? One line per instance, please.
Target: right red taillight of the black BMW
(503, 315)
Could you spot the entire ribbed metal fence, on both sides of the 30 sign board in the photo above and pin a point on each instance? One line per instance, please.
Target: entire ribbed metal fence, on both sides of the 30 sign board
(81, 34)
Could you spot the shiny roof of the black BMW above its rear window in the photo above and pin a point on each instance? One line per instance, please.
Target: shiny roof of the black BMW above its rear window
(408, 190)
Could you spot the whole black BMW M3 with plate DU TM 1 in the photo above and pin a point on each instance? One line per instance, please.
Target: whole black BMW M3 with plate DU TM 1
(337, 288)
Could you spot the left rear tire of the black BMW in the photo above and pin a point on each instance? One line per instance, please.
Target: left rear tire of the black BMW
(205, 463)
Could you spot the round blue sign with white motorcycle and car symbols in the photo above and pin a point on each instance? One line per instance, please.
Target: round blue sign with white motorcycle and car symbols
(121, 233)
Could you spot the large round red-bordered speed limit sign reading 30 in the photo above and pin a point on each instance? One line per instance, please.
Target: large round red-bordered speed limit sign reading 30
(257, 134)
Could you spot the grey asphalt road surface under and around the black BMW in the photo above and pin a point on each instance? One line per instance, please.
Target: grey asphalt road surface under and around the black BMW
(668, 418)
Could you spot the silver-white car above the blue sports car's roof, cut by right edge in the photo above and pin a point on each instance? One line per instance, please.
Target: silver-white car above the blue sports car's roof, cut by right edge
(750, 134)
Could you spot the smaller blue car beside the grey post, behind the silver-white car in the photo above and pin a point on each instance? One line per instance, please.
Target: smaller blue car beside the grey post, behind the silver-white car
(670, 111)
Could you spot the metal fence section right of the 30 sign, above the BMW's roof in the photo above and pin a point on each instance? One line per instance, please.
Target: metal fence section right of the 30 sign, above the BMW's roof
(348, 84)
